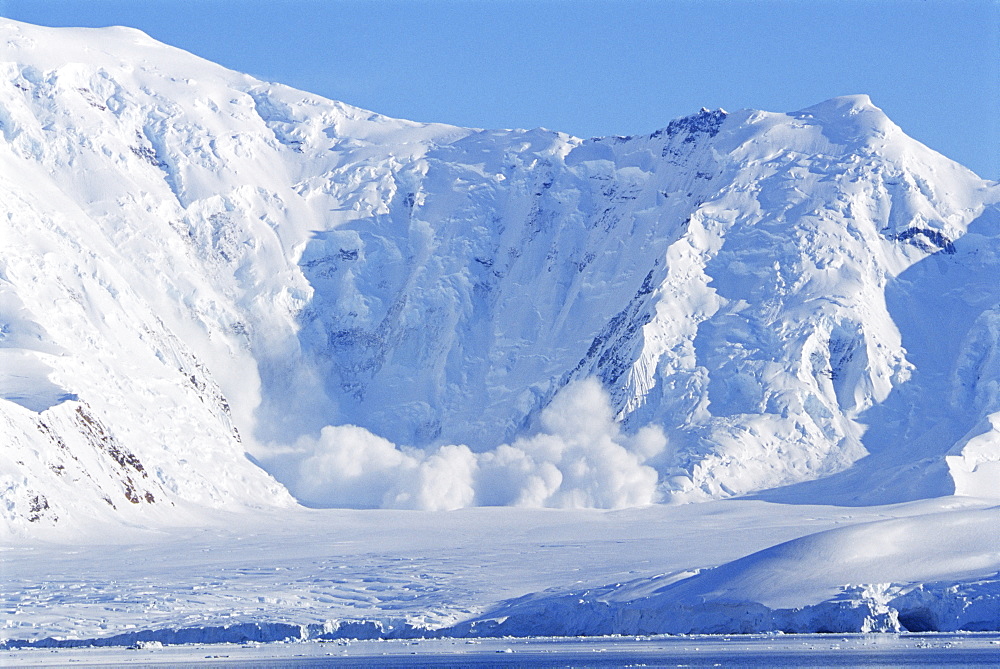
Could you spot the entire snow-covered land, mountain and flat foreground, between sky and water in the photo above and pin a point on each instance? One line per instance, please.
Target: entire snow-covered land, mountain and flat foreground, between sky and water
(738, 375)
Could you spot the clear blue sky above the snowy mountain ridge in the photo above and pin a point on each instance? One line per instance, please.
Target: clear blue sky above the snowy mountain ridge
(593, 67)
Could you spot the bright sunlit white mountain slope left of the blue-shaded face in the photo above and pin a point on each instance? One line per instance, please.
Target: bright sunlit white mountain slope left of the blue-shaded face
(148, 271)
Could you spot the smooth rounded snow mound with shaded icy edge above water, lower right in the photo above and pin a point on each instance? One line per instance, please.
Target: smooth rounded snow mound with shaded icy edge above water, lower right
(938, 572)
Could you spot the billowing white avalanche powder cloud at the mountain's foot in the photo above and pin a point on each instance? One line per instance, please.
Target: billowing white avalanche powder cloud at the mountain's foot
(579, 458)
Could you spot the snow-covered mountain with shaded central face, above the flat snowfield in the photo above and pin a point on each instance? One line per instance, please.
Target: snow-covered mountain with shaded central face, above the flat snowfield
(197, 264)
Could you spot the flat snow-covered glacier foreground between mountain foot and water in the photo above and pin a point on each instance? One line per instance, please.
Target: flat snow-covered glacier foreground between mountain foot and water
(729, 566)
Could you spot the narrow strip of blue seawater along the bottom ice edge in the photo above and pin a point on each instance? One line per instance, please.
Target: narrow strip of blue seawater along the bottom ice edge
(792, 650)
